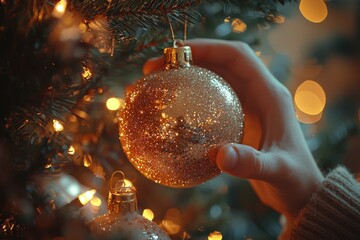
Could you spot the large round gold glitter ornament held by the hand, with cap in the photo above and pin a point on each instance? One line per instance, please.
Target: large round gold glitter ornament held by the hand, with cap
(174, 121)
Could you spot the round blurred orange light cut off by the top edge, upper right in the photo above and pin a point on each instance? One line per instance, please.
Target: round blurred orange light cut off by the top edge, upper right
(313, 10)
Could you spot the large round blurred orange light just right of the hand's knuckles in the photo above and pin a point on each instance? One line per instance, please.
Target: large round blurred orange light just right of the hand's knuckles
(310, 98)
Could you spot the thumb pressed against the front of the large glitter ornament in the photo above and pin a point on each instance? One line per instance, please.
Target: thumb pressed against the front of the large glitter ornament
(242, 161)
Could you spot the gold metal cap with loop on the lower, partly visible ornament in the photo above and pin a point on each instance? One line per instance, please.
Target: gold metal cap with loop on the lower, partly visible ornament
(122, 197)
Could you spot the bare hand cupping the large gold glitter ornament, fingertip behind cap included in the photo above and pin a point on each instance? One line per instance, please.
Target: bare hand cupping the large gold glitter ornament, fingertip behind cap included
(273, 154)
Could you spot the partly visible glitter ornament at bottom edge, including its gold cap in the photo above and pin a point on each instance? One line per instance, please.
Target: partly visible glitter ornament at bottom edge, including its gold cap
(122, 220)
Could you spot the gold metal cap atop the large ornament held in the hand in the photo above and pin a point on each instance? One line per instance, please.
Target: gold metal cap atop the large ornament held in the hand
(177, 56)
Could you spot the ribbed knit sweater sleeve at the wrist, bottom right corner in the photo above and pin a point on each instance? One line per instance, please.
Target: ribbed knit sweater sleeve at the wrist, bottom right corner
(333, 211)
